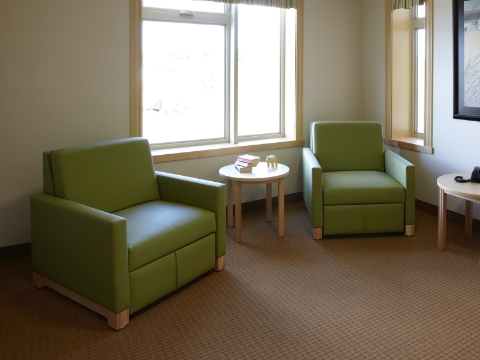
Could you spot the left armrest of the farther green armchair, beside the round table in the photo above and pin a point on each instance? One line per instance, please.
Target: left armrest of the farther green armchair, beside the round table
(313, 187)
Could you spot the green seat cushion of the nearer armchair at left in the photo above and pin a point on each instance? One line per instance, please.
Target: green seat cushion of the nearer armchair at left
(158, 228)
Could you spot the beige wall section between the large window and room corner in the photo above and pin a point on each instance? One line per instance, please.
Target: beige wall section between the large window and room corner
(333, 61)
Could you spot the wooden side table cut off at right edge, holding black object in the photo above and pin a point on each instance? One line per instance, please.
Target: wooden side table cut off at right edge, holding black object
(468, 191)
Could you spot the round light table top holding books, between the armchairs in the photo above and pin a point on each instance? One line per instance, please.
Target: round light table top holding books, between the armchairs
(259, 173)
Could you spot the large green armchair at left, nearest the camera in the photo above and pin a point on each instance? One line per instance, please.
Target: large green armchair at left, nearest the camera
(114, 235)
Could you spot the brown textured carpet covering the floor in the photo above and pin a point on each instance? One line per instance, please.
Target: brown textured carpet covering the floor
(375, 297)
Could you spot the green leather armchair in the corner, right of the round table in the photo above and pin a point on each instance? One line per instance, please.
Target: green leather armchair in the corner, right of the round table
(352, 185)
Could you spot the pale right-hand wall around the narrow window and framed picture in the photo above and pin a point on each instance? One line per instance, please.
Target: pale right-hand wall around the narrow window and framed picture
(455, 142)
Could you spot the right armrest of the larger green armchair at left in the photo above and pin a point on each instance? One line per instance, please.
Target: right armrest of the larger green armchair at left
(208, 195)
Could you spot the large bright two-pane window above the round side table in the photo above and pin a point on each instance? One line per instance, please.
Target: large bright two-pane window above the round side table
(225, 75)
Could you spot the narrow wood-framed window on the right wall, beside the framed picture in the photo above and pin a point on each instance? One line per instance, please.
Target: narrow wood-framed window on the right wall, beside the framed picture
(409, 77)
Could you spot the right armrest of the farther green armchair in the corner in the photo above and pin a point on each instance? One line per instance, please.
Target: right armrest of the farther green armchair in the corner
(404, 172)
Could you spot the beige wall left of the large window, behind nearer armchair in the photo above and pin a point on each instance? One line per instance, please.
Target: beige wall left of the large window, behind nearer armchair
(64, 80)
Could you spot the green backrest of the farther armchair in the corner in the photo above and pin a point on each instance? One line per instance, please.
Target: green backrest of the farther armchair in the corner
(348, 145)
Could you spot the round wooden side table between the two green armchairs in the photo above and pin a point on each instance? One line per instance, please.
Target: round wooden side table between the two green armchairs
(261, 174)
